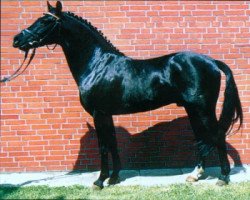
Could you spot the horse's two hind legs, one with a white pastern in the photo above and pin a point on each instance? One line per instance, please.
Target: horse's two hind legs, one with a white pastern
(208, 136)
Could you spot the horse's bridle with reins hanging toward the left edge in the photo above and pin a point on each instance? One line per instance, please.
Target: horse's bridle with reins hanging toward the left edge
(27, 31)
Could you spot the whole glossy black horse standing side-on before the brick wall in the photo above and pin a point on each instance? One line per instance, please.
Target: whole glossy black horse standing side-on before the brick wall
(111, 83)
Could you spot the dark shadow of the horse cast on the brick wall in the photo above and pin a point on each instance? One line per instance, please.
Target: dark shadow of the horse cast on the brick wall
(164, 145)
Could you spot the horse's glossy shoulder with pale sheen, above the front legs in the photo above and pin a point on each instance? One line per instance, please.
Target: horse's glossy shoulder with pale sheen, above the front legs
(102, 83)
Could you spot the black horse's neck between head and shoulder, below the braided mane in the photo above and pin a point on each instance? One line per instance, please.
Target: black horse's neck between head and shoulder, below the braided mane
(80, 45)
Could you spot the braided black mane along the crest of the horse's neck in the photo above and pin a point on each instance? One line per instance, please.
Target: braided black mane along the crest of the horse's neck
(92, 28)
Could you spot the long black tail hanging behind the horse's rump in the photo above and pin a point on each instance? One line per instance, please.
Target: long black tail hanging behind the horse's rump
(231, 110)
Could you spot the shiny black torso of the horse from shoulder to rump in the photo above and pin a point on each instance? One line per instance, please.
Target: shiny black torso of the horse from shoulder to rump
(115, 84)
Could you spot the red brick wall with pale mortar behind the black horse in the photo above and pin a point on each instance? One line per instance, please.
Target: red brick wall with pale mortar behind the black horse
(43, 126)
